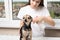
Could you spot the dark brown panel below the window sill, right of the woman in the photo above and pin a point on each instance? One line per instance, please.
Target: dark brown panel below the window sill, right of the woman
(52, 32)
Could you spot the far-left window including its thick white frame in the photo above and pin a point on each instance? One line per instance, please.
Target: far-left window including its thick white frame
(4, 16)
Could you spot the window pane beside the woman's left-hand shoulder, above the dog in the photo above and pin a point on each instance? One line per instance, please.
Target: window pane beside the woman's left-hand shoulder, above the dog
(16, 5)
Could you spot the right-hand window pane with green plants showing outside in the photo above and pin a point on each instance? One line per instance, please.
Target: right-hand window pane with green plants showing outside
(54, 8)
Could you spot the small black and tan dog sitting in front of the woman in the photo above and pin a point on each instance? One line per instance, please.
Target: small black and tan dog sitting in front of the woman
(26, 30)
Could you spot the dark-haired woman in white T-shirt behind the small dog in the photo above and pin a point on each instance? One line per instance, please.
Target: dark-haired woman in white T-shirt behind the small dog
(40, 15)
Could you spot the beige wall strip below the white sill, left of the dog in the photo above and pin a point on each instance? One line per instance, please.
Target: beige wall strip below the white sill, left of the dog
(9, 31)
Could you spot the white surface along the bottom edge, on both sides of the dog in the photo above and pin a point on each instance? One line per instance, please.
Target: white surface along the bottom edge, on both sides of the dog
(9, 37)
